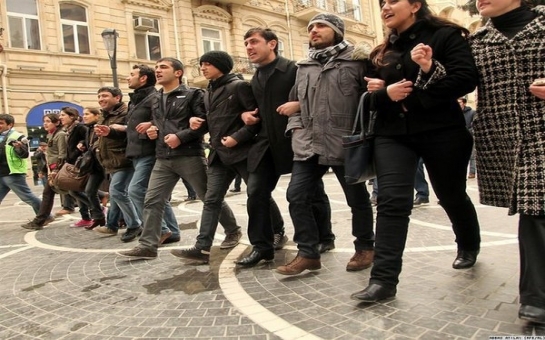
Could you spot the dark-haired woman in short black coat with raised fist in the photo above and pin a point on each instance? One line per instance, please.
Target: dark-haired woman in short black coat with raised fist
(422, 68)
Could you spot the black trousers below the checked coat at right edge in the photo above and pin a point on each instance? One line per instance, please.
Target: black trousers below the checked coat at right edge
(532, 260)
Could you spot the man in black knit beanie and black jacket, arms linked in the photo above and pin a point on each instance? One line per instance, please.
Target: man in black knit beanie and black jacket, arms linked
(226, 98)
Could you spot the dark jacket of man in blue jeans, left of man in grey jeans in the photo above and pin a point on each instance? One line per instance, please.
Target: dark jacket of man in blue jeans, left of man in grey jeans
(138, 144)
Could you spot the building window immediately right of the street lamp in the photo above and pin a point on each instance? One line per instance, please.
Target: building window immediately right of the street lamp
(147, 38)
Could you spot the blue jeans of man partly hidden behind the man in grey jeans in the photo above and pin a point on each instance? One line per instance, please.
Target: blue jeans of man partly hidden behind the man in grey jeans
(137, 192)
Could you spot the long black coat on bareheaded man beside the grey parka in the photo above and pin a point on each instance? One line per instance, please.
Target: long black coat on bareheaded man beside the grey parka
(273, 125)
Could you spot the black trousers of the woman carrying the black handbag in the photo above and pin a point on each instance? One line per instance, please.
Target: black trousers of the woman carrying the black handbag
(445, 153)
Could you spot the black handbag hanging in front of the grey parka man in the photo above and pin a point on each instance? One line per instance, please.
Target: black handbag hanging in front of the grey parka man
(359, 165)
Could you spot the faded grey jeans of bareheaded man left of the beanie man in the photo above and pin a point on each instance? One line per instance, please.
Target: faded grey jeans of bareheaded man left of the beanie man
(164, 176)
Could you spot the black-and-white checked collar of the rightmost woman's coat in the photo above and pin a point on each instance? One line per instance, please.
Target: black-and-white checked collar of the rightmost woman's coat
(489, 34)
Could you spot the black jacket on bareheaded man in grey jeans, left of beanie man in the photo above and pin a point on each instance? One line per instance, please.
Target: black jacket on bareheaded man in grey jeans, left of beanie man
(182, 104)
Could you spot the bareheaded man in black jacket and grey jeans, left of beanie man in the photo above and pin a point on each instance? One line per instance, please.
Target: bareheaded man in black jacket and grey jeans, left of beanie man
(179, 153)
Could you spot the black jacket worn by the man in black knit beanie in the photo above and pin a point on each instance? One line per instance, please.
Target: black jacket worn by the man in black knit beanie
(225, 100)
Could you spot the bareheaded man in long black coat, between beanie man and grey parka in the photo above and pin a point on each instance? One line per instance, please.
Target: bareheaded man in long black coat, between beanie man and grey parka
(271, 155)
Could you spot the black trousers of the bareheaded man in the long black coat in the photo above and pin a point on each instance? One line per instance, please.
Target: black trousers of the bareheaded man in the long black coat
(264, 218)
